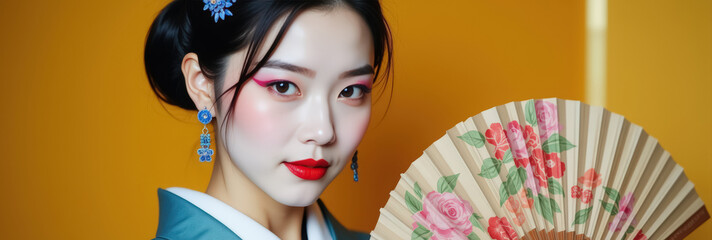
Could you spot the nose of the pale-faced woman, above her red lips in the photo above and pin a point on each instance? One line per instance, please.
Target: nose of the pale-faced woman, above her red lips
(317, 127)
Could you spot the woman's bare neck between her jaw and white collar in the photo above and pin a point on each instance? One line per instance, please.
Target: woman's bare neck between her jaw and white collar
(229, 185)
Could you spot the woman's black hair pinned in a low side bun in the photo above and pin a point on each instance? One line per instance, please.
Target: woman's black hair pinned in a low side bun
(183, 27)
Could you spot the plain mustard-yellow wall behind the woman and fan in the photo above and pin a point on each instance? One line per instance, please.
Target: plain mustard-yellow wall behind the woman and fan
(86, 143)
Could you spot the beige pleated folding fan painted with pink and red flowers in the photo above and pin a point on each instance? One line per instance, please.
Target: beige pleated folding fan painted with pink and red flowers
(543, 169)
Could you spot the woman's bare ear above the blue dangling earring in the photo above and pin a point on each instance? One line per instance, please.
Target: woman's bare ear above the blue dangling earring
(199, 87)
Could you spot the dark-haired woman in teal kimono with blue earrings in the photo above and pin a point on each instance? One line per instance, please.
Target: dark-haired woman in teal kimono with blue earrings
(289, 85)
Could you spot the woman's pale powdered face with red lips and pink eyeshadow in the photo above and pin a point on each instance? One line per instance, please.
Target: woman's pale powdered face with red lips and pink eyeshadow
(310, 101)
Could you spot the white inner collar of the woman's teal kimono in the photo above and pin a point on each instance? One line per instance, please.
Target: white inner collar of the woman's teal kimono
(244, 226)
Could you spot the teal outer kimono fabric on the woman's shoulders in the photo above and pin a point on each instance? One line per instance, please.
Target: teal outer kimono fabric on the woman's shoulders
(180, 219)
